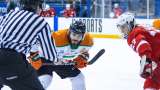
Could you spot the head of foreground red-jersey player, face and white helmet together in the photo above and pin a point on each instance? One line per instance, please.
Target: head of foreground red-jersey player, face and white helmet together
(126, 19)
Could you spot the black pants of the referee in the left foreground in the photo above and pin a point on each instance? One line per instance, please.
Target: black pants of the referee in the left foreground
(16, 72)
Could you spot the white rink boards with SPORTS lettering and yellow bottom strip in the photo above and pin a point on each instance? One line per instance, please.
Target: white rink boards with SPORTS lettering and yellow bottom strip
(98, 27)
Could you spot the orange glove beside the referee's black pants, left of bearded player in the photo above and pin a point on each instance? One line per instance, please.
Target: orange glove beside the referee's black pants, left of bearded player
(35, 60)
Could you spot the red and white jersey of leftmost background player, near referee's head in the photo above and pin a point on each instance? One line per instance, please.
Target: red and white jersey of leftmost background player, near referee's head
(50, 13)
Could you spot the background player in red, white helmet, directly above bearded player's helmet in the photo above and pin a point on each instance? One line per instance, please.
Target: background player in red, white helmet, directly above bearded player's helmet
(68, 12)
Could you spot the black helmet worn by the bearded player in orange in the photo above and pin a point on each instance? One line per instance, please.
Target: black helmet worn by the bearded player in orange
(77, 27)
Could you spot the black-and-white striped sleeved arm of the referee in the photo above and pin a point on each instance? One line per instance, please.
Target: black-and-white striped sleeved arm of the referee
(48, 44)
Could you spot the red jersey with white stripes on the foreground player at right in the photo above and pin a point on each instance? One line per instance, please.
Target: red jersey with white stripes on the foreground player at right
(145, 41)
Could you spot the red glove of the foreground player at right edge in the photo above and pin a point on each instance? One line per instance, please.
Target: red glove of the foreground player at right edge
(147, 69)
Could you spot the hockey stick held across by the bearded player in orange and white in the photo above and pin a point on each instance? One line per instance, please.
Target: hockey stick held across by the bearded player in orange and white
(95, 58)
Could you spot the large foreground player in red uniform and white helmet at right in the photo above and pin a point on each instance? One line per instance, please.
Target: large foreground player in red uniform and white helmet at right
(145, 42)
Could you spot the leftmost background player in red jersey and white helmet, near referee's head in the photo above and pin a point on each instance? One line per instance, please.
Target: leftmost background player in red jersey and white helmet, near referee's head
(49, 12)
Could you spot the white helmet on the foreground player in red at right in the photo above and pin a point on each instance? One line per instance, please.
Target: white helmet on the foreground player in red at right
(128, 19)
